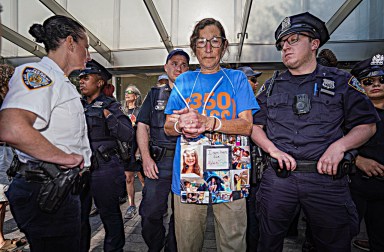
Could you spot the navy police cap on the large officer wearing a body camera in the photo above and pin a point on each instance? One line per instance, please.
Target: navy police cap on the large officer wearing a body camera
(303, 22)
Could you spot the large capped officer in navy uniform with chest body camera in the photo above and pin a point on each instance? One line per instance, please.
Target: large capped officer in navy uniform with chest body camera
(311, 115)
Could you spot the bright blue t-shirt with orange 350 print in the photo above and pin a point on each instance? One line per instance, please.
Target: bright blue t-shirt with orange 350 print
(229, 98)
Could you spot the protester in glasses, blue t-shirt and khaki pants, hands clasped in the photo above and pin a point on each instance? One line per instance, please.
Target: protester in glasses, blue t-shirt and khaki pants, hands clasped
(209, 113)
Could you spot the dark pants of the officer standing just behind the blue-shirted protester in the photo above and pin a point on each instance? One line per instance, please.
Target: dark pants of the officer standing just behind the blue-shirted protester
(153, 207)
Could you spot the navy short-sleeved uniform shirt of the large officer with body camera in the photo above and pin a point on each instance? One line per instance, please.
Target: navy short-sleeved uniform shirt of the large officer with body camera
(338, 103)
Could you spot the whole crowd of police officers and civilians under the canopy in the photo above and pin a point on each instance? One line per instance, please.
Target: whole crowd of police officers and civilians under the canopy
(319, 127)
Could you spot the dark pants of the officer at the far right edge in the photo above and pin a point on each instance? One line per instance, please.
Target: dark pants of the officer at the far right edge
(368, 195)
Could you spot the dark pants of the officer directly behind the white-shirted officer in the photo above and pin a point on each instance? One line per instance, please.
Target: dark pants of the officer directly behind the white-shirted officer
(106, 188)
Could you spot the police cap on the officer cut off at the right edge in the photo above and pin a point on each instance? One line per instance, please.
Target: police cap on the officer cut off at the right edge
(369, 68)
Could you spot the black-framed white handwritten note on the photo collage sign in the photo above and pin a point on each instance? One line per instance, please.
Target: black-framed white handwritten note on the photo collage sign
(217, 157)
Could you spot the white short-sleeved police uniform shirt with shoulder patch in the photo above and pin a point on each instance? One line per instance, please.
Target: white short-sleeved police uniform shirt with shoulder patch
(43, 89)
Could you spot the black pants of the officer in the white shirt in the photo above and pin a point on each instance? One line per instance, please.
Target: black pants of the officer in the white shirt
(59, 231)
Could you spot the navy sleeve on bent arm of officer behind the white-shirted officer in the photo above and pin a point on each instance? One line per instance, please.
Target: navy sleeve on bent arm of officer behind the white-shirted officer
(119, 124)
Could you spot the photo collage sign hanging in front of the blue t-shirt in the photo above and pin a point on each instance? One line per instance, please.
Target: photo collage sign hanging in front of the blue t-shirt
(215, 168)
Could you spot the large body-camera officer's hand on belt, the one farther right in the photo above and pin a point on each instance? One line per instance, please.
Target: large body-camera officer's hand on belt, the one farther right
(330, 160)
